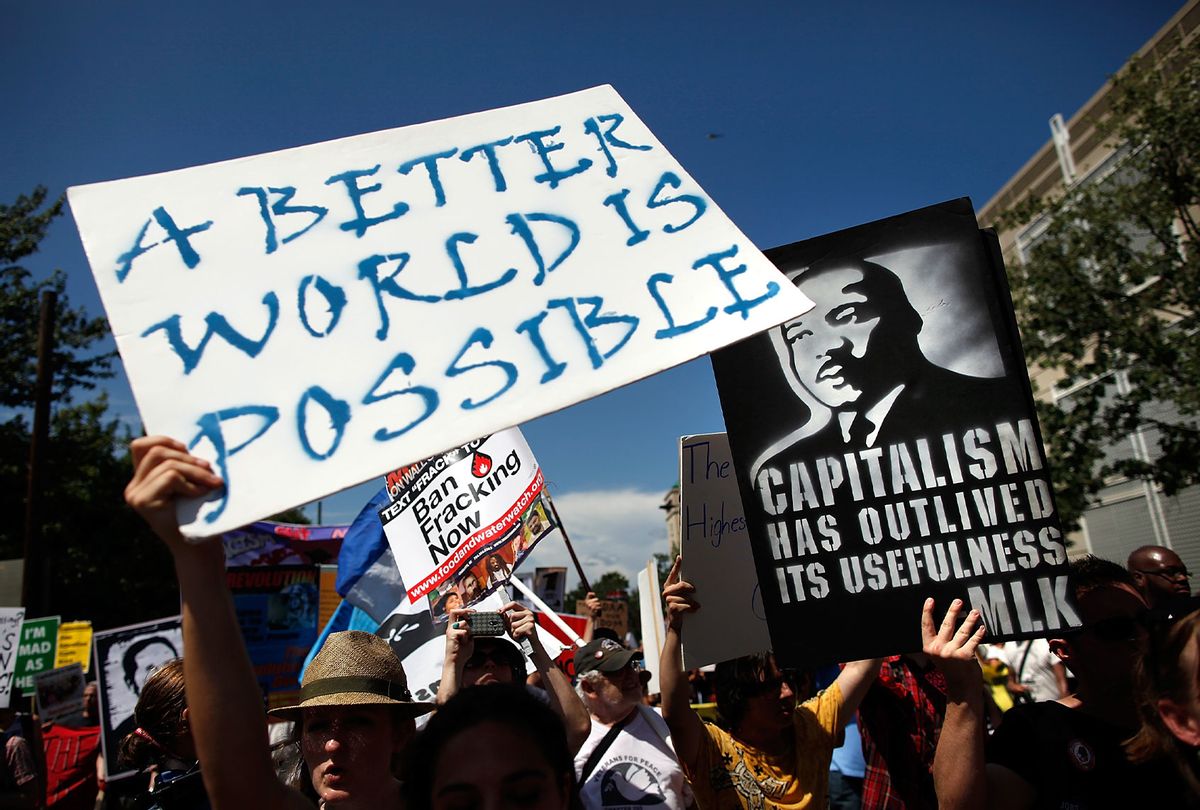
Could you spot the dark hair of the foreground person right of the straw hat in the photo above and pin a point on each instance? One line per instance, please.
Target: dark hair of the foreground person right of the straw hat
(508, 705)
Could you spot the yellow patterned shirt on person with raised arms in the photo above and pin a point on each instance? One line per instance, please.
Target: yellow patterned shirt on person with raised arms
(731, 776)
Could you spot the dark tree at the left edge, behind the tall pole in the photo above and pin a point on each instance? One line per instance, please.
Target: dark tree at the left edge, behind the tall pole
(107, 566)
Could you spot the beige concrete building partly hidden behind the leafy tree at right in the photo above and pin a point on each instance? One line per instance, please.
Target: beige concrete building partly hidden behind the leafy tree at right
(1130, 513)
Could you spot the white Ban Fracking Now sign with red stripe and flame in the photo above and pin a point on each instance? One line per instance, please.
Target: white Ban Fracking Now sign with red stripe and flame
(461, 523)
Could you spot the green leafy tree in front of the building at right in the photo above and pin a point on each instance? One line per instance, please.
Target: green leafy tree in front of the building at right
(1111, 291)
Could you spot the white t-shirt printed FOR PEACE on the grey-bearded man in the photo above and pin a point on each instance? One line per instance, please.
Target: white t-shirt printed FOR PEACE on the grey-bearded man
(639, 770)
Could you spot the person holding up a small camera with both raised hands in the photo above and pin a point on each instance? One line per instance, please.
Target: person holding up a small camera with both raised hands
(473, 659)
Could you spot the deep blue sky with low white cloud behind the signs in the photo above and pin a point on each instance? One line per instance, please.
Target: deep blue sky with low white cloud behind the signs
(827, 116)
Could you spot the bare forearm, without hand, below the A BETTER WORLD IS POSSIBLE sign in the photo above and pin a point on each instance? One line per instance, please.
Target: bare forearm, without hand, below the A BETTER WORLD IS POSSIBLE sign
(225, 705)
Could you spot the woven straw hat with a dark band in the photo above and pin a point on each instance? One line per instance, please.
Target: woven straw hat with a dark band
(355, 669)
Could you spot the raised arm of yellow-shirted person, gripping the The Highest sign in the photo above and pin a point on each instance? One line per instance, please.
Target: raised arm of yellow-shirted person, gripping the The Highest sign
(687, 728)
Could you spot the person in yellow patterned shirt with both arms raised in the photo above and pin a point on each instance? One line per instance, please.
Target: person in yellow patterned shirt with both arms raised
(773, 749)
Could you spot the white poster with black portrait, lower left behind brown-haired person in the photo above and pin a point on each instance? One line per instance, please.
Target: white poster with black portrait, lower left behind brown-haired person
(125, 658)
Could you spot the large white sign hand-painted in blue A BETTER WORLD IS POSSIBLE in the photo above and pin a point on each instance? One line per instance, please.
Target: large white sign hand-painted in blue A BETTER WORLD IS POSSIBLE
(340, 309)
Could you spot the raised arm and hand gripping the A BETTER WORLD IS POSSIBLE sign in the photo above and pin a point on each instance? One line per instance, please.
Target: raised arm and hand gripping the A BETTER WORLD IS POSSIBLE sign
(225, 705)
